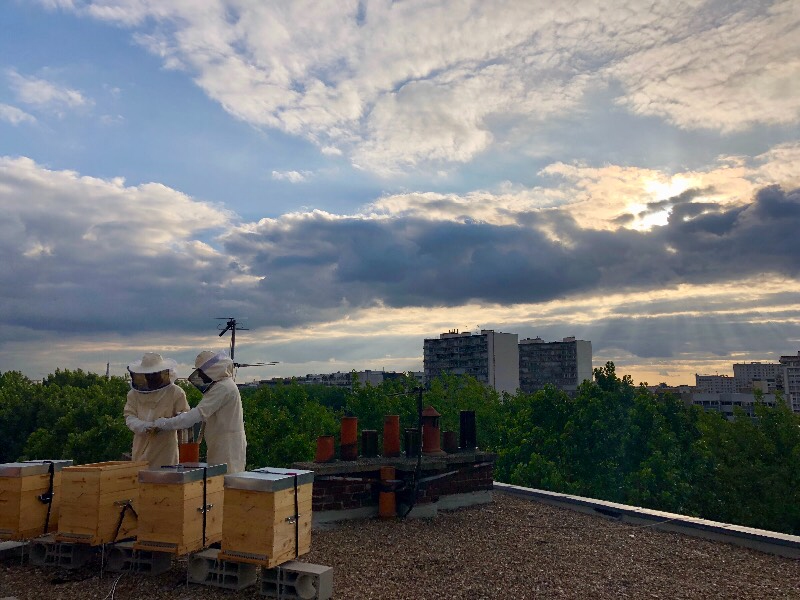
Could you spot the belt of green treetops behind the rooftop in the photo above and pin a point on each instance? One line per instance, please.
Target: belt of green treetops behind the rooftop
(612, 440)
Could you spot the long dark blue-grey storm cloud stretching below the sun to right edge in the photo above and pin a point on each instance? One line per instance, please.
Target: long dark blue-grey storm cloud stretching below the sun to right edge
(415, 262)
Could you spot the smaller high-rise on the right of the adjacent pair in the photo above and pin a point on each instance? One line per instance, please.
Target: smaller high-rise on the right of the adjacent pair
(565, 364)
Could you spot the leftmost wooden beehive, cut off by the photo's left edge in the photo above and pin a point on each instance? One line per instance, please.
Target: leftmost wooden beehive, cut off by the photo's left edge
(28, 505)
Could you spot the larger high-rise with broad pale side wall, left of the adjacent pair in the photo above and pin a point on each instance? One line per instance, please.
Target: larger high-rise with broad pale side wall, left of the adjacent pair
(490, 356)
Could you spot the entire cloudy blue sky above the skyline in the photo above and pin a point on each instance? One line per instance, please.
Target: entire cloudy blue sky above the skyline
(347, 179)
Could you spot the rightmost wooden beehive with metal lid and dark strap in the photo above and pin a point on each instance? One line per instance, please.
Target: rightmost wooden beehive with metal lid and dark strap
(267, 516)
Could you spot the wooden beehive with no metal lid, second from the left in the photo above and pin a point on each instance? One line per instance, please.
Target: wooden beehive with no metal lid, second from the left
(94, 499)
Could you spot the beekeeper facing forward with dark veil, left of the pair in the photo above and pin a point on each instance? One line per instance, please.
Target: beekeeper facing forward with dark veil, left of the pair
(153, 394)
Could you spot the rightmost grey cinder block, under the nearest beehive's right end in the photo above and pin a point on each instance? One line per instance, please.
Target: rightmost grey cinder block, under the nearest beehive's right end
(295, 580)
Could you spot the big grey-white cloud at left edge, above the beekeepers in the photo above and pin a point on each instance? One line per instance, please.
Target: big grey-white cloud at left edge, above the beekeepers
(97, 255)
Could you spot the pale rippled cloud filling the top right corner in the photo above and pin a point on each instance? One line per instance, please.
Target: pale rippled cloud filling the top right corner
(733, 71)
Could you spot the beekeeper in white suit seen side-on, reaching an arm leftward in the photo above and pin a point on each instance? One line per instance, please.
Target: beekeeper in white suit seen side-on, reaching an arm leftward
(220, 408)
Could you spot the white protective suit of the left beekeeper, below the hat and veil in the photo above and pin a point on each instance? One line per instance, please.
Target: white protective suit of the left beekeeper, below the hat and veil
(157, 448)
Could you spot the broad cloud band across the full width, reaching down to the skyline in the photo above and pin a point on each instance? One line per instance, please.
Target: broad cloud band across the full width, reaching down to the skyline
(96, 260)
